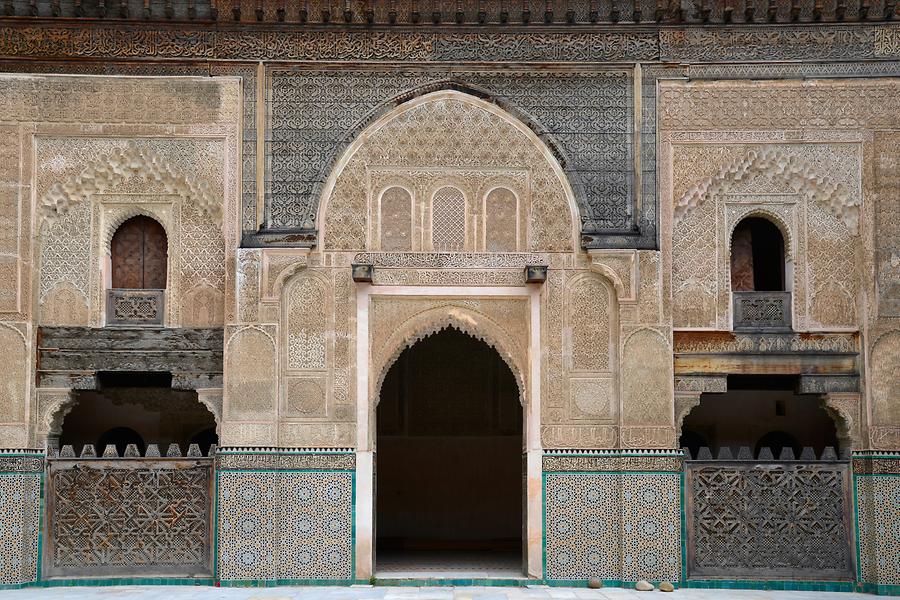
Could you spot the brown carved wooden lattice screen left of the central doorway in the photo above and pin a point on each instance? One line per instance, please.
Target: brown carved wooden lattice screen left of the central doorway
(129, 517)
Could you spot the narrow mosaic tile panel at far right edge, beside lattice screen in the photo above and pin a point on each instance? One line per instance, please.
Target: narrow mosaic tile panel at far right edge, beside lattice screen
(878, 528)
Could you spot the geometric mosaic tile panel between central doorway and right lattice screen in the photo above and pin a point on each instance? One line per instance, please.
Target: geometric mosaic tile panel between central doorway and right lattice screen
(615, 526)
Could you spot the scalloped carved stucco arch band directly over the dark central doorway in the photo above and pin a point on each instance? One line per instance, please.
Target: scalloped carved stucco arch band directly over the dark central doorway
(432, 321)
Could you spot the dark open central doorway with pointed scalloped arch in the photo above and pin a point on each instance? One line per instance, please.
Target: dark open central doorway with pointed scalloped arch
(449, 490)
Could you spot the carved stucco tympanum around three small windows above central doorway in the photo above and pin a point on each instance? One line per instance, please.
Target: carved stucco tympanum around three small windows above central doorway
(447, 131)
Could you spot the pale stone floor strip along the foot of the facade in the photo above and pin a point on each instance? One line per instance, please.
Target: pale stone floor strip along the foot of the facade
(397, 593)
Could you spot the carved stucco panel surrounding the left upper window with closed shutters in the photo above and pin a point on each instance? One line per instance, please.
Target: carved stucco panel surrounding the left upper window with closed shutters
(84, 199)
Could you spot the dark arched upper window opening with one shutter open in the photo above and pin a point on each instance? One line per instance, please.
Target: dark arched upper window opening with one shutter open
(757, 257)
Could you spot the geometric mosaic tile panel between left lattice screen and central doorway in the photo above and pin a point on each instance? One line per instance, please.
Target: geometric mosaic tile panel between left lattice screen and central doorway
(285, 525)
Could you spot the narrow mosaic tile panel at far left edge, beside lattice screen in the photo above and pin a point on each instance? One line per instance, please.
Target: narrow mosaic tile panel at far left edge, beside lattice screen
(20, 511)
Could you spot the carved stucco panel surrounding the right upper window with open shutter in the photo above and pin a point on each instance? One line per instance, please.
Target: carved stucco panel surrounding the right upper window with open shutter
(819, 219)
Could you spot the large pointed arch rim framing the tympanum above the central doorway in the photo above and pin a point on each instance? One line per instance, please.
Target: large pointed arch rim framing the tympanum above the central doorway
(322, 191)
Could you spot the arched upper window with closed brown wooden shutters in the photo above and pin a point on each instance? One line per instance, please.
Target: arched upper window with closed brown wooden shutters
(139, 253)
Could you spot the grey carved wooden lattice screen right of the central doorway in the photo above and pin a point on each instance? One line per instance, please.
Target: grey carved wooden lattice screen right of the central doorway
(753, 520)
